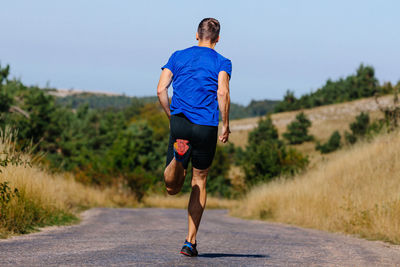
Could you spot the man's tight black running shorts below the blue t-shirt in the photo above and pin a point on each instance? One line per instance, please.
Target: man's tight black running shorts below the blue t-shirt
(202, 138)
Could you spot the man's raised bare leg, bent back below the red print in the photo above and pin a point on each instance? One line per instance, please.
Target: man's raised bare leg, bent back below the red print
(174, 176)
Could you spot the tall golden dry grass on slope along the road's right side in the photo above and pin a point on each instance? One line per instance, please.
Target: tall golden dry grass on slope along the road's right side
(357, 191)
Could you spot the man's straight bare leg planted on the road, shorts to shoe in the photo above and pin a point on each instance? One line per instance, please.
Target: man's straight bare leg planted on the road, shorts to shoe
(197, 202)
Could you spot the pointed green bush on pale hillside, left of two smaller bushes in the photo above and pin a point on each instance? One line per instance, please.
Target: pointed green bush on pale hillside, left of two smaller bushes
(297, 131)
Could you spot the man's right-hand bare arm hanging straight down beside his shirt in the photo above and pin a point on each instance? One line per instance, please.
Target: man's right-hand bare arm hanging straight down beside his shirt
(224, 103)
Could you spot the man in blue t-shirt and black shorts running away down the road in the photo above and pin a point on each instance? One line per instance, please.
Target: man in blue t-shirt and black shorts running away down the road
(200, 79)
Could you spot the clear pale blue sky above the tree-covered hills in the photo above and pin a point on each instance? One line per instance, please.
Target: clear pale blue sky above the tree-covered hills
(119, 46)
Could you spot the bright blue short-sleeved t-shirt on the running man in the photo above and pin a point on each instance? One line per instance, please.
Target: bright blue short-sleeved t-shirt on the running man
(195, 83)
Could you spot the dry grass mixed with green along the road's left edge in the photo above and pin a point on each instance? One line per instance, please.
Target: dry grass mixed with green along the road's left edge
(44, 198)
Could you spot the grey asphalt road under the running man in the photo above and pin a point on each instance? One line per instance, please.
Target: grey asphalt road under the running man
(143, 237)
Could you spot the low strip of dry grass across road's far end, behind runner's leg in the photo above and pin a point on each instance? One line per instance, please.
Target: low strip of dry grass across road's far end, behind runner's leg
(181, 202)
